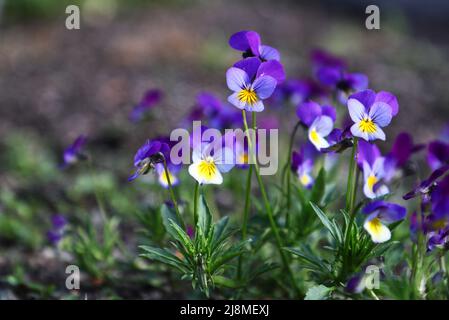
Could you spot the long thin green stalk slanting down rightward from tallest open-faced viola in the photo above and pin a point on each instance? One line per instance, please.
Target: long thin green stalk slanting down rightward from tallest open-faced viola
(267, 205)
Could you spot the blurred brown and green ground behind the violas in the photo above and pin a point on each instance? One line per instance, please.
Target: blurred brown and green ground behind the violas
(56, 84)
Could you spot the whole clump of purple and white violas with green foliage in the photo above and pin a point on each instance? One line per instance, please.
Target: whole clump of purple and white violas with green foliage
(338, 206)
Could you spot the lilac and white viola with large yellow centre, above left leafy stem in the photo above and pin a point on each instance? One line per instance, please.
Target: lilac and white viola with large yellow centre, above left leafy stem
(209, 161)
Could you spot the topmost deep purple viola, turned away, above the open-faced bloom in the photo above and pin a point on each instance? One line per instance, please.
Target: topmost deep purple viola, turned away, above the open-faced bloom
(249, 43)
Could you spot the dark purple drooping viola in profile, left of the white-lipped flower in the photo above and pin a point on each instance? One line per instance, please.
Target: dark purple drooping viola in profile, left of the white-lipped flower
(148, 156)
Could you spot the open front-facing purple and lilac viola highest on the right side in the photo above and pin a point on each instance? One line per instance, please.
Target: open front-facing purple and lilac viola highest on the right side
(370, 112)
